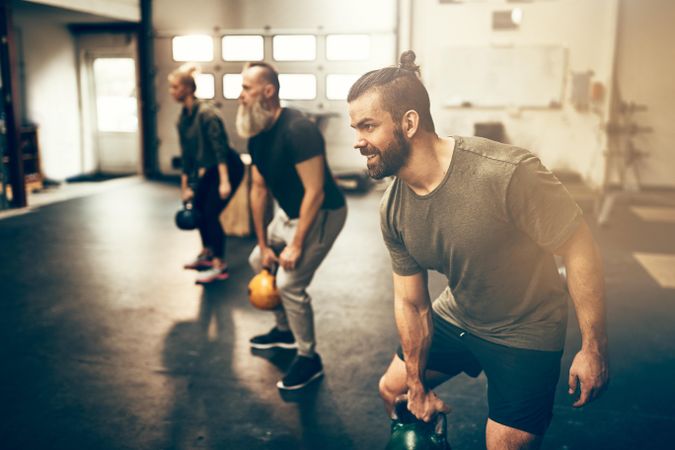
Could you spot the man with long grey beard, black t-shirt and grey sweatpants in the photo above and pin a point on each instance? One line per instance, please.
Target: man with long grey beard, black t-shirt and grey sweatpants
(289, 162)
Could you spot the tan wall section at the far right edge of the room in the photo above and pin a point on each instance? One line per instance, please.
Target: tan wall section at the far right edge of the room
(646, 75)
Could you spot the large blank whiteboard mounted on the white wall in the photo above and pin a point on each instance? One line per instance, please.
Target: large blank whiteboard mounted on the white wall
(502, 76)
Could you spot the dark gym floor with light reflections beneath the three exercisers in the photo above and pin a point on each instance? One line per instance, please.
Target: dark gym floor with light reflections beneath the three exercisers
(108, 344)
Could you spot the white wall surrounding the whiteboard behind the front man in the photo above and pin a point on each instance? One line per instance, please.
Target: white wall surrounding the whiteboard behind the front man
(563, 138)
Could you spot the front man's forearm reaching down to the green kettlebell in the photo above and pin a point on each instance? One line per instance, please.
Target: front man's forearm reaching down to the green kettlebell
(415, 328)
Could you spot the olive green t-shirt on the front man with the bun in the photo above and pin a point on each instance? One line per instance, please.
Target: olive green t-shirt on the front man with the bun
(491, 227)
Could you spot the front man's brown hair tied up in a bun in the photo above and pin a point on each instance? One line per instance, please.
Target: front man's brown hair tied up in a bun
(400, 90)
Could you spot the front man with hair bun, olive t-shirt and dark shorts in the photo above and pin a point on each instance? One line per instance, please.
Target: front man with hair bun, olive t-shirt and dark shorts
(490, 217)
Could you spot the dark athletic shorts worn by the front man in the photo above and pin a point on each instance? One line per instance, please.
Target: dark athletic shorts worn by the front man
(521, 383)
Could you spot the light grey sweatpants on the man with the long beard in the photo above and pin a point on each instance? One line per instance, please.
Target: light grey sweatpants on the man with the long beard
(295, 312)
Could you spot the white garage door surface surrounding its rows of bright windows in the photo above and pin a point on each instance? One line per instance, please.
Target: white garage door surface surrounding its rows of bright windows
(217, 18)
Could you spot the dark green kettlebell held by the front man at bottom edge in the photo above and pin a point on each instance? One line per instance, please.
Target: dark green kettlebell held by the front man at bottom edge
(410, 433)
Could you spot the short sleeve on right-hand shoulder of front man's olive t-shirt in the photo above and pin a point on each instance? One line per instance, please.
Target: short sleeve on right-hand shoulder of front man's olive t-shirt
(540, 206)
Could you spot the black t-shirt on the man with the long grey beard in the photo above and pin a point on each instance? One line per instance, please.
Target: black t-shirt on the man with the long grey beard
(275, 152)
